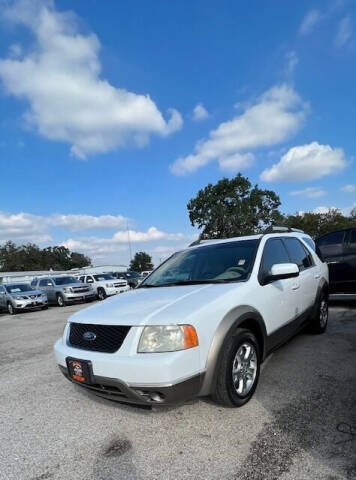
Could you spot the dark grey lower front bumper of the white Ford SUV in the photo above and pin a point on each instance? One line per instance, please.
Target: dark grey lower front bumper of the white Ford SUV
(119, 391)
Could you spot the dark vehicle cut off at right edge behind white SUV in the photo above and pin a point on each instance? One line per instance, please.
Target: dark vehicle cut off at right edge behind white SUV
(338, 250)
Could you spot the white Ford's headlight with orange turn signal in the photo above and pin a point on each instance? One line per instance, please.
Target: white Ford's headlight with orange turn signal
(167, 338)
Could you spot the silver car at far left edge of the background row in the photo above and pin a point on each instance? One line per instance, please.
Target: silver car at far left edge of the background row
(16, 297)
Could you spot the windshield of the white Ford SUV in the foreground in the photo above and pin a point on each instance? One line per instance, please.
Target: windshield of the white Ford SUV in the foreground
(219, 263)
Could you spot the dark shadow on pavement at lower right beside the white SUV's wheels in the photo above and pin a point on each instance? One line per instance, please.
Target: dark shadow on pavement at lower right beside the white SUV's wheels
(309, 387)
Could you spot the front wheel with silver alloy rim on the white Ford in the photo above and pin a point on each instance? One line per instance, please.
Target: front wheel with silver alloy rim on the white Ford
(238, 369)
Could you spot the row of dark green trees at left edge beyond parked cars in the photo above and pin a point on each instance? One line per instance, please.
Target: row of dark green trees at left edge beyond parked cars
(15, 258)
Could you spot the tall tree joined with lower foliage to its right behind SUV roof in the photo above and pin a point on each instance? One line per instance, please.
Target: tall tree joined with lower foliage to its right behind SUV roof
(233, 207)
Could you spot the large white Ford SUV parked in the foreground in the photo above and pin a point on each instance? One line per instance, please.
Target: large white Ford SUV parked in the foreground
(201, 324)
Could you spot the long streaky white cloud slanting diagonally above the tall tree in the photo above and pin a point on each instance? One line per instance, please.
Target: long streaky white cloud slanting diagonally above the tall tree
(277, 114)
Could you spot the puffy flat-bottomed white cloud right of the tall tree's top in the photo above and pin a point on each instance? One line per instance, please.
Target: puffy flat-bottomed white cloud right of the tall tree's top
(306, 162)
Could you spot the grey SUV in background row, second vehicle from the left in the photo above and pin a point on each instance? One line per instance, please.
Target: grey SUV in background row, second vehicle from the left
(64, 289)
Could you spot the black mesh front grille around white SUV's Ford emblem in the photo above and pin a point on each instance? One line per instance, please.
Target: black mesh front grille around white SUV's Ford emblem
(109, 338)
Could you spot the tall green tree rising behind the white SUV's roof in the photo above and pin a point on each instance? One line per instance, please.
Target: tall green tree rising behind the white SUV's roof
(233, 207)
